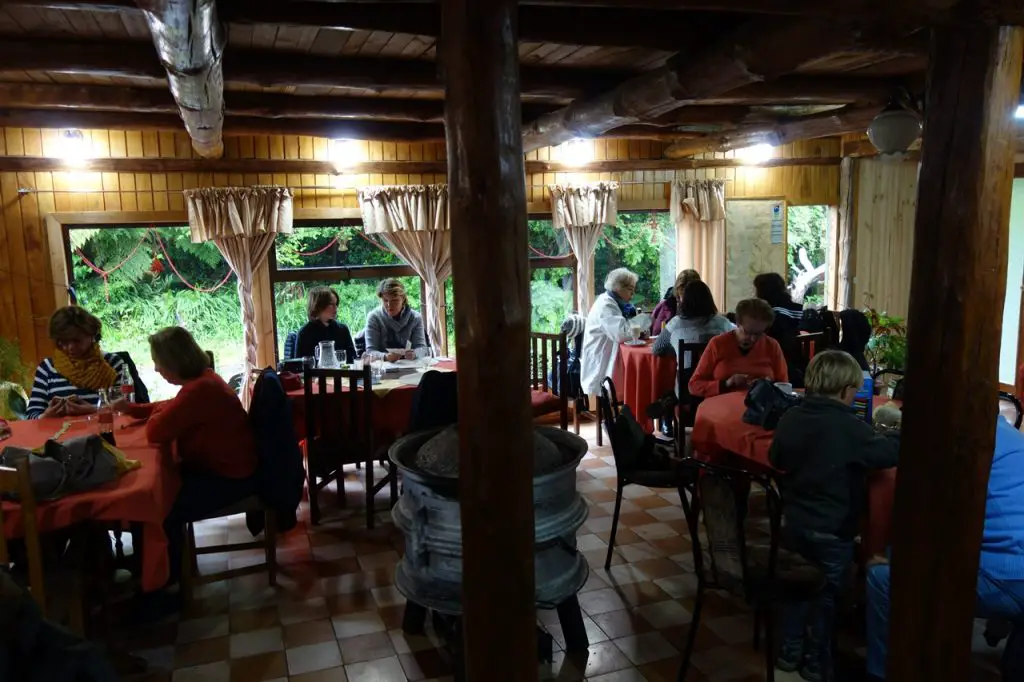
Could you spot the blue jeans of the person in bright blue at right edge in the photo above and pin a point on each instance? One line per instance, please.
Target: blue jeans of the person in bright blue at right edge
(996, 600)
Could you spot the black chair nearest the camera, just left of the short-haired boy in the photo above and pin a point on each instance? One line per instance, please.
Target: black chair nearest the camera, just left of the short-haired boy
(760, 574)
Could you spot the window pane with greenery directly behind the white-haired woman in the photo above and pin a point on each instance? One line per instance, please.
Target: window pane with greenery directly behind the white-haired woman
(634, 243)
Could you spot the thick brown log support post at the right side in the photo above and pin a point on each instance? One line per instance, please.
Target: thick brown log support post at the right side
(958, 288)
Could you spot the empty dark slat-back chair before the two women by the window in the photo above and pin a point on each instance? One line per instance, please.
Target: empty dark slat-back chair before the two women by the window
(339, 432)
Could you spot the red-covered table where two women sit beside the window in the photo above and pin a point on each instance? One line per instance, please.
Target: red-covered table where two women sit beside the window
(392, 403)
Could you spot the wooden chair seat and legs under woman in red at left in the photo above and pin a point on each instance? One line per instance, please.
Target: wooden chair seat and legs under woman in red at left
(190, 552)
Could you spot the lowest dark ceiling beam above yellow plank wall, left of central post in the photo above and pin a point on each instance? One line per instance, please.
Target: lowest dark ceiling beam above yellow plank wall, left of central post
(374, 131)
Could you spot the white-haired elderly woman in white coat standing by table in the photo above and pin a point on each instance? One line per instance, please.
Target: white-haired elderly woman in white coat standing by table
(607, 328)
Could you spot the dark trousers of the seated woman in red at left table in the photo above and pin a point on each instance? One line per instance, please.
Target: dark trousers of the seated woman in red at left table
(201, 496)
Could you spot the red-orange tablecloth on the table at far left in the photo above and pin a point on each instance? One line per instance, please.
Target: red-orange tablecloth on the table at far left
(144, 496)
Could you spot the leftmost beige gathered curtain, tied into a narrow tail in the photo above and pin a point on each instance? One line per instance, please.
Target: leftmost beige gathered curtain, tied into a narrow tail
(243, 223)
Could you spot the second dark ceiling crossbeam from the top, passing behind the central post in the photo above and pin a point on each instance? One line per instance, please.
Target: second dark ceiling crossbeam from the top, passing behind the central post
(270, 69)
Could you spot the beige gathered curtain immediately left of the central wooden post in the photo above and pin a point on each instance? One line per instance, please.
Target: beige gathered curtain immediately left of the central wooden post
(413, 221)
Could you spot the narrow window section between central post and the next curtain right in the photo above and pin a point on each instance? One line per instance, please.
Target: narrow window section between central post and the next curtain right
(552, 287)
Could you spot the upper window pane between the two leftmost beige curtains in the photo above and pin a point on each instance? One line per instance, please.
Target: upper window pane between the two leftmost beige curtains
(331, 247)
